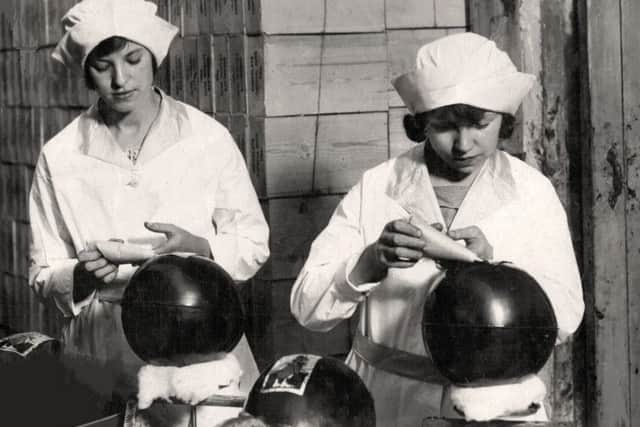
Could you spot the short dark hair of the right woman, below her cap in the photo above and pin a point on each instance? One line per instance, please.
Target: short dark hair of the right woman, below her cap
(415, 125)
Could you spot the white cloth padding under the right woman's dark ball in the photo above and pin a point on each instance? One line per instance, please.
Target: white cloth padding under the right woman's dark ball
(497, 401)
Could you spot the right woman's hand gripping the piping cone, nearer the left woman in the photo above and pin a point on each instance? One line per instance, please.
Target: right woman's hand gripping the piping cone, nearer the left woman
(400, 245)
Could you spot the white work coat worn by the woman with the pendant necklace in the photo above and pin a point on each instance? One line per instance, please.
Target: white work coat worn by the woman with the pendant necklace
(189, 173)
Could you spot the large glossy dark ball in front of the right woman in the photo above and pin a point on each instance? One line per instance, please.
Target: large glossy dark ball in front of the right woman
(487, 323)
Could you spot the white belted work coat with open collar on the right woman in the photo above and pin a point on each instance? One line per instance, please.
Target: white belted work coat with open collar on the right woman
(516, 208)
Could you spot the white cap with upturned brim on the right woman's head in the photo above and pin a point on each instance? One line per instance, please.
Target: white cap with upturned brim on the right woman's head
(463, 68)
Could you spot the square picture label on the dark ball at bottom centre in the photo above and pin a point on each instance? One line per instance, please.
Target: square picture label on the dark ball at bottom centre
(290, 374)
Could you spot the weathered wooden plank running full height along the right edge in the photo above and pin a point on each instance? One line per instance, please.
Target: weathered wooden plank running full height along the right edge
(610, 217)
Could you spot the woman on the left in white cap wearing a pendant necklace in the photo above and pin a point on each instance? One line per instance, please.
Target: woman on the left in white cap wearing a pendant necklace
(137, 166)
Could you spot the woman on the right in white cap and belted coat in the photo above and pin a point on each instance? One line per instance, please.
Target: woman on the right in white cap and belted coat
(462, 98)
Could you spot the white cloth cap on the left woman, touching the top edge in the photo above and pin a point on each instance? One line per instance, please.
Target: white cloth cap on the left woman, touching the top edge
(90, 22)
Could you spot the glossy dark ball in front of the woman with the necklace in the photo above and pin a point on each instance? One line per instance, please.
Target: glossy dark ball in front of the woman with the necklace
(178, 310)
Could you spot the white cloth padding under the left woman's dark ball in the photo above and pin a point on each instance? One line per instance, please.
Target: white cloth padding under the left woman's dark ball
(189, 384)
